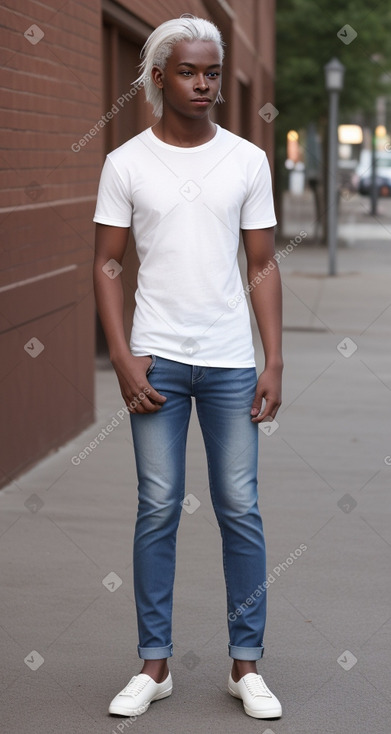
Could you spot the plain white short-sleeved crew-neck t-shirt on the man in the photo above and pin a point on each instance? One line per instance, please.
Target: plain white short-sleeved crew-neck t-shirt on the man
(186, 207)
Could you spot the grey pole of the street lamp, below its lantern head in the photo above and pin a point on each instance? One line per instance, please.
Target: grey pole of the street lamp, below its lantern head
(332, 181)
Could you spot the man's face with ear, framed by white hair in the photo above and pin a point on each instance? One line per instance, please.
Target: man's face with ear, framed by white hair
(191, 79)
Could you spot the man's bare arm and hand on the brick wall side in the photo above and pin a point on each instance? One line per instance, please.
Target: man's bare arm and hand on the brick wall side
(110, 244)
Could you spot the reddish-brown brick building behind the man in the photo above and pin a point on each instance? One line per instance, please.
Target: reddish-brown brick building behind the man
(66, 80)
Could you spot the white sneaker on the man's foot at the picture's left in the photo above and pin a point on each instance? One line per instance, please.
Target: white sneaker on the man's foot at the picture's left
(136, 697)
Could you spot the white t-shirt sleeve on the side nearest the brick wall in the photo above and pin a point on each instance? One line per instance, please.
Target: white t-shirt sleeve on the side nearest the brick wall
(114, 204)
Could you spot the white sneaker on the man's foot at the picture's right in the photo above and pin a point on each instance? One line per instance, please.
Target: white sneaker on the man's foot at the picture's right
(258, 701)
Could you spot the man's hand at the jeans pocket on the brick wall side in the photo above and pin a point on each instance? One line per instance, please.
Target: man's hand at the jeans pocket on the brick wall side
(139, 395)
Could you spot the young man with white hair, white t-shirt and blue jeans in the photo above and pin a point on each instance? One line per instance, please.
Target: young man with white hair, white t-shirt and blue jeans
(187, 187)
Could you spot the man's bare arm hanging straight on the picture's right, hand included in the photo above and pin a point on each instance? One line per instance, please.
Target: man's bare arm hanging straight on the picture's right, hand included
(266, 300)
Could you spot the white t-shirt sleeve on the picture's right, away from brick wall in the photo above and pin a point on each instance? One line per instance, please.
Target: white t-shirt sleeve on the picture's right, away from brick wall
(258, 208)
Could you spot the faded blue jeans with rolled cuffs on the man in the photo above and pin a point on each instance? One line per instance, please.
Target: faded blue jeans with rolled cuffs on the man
(223, 398)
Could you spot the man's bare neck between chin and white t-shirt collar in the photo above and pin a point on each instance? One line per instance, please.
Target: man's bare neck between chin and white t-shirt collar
(184, 132)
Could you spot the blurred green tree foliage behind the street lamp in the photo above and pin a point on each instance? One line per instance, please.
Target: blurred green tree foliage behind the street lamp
(307, 39)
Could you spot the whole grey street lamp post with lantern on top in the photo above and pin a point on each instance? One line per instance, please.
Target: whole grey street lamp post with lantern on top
(334, 75)
